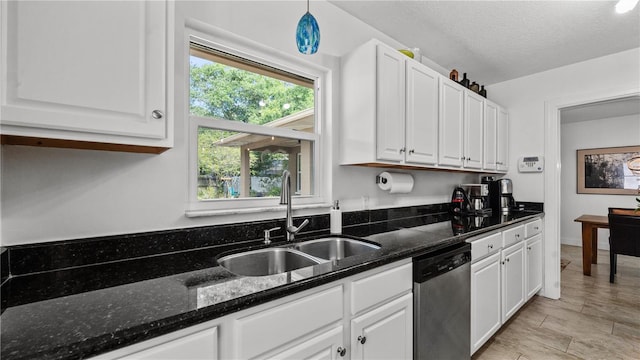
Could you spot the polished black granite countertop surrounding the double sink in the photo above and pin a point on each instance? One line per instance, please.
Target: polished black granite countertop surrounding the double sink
(78, 313)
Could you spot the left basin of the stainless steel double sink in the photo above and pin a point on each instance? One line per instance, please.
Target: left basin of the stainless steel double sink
(268, 261)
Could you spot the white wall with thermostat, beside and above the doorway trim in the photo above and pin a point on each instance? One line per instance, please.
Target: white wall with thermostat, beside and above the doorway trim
(525, 98)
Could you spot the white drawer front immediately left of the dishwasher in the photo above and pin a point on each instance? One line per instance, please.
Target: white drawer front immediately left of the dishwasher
(377, 288)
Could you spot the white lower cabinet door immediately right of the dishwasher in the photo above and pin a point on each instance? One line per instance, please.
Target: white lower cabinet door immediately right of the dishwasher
(485, 300)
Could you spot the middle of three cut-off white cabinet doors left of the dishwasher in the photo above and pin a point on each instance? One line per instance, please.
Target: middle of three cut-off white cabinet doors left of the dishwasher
(327, 346)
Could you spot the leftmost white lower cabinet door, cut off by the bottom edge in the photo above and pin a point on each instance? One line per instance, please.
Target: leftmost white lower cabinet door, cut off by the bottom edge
(199, 346)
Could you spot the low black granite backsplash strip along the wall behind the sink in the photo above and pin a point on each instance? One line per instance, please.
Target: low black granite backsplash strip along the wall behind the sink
(52, 256)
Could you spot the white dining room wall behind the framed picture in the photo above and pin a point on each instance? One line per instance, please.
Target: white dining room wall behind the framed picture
(610, 132)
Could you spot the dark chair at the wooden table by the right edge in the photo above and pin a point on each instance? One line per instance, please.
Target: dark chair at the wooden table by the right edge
(624, 236)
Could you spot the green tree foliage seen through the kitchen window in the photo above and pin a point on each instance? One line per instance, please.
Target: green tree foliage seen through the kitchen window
(225, 92)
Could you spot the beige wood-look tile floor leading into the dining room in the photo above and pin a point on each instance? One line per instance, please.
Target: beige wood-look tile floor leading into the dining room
(593, 319)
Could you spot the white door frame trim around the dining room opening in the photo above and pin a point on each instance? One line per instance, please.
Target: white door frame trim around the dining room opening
(552, 177)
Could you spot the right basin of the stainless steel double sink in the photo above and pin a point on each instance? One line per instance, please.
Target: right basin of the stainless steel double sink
(335, 248)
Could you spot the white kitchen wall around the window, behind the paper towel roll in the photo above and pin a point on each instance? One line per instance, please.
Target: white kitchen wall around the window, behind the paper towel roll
(57, 194)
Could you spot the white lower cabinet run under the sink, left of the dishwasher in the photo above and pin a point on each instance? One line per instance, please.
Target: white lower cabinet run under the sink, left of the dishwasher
(327, 322)
